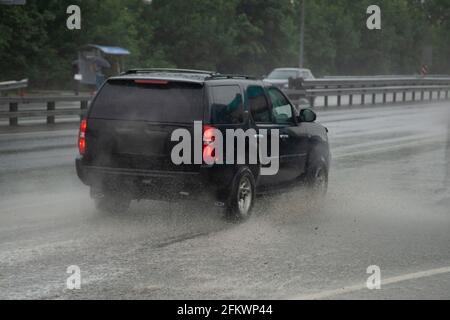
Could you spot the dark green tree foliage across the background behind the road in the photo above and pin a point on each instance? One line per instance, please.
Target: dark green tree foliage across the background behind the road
(233, 36)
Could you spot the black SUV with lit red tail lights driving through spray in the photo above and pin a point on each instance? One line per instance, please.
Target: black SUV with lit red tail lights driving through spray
(125, 142)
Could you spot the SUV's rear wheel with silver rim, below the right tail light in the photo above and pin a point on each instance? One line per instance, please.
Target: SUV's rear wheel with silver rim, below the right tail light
(242, 196)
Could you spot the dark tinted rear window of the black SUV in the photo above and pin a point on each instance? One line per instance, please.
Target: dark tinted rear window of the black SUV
(172, 102)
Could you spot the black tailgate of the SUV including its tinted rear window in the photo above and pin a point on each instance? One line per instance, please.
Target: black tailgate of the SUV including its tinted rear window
(131, 121)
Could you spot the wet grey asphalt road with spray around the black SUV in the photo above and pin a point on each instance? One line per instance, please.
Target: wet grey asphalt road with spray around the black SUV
(388, 205)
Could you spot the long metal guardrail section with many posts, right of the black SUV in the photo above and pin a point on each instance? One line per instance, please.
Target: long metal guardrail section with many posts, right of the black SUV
(351, 86)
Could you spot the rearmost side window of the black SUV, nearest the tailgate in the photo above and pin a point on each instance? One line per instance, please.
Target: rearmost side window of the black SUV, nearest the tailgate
(227, 107)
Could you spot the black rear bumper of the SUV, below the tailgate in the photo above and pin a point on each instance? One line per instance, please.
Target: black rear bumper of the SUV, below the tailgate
(207, 185)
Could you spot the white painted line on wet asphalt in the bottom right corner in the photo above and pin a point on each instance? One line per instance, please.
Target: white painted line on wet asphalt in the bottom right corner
(359, 287)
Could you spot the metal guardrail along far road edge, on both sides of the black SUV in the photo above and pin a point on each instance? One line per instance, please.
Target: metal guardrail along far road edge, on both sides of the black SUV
(299, 89)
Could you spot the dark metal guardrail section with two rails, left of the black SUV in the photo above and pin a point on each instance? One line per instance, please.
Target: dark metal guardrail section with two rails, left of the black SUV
(50, 112)
